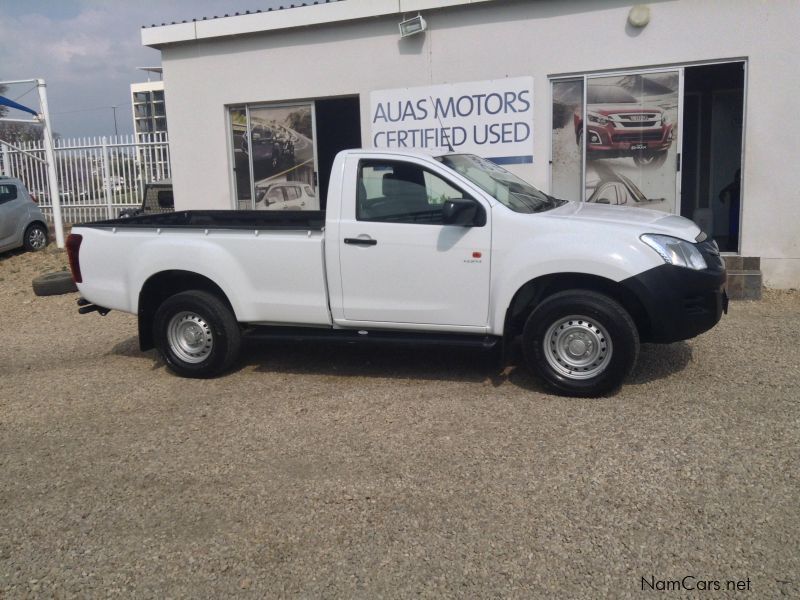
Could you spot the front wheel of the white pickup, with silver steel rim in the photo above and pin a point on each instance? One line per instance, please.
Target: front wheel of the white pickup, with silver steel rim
(581, 343)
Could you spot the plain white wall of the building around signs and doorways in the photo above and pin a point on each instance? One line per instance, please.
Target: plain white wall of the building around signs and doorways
(493, 40)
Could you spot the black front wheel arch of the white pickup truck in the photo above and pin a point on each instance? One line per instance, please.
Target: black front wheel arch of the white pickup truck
(533, 292)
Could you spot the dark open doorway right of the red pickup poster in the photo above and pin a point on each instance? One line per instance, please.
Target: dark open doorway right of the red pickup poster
(713, 113)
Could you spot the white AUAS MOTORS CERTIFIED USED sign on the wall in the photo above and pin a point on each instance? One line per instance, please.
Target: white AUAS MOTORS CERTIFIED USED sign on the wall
(493, 118)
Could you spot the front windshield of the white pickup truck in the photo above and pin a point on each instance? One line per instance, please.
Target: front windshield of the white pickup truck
(507, 188)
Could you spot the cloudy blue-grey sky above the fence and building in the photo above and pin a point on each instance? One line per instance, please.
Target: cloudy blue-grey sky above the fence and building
(88, 52)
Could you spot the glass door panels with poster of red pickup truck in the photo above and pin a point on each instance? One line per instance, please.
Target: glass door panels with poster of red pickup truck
(628, 130)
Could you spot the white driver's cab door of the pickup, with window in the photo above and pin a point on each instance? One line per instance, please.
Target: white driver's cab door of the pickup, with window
(399, 263)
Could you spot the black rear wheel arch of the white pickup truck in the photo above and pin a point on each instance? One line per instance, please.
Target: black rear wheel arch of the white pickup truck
(161, 286)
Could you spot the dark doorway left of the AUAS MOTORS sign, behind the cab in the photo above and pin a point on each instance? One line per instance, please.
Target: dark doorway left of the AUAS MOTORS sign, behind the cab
(338, 128)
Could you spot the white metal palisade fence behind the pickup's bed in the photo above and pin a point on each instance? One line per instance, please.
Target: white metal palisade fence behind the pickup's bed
(97, 177)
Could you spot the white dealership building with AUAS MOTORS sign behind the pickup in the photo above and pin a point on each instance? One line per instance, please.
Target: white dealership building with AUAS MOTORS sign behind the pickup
(674, 97)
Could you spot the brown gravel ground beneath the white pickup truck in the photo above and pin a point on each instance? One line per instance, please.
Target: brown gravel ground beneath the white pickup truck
(321, 471)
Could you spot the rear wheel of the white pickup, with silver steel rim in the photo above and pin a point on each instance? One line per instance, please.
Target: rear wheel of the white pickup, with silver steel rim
(196, 334)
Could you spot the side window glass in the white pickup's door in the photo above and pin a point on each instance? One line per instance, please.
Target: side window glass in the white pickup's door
(397, 192)
